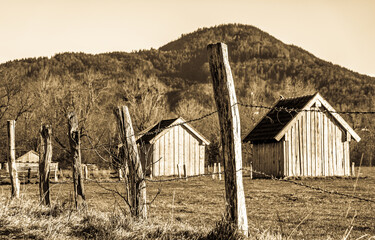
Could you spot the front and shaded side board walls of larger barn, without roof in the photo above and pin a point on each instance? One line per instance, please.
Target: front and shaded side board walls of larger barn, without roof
(313, 146)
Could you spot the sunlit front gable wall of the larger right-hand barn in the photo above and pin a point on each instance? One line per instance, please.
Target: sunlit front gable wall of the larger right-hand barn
(316, 145)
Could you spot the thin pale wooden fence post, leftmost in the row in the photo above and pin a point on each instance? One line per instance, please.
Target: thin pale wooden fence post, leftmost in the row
(12, 159)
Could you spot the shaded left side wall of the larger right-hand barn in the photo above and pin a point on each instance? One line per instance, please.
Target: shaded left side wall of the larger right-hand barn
(268, 158)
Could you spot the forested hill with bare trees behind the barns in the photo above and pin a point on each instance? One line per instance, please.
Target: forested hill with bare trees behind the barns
(173, 80)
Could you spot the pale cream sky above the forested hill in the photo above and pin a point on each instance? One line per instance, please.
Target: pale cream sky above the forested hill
(339, 31)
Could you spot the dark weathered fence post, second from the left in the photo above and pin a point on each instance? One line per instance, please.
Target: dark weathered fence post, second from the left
(45, 158)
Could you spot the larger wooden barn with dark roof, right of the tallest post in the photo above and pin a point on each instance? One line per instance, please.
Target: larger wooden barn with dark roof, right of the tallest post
(311, 142)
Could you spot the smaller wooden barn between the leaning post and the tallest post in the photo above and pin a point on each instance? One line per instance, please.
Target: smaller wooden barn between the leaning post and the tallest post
(176, 145)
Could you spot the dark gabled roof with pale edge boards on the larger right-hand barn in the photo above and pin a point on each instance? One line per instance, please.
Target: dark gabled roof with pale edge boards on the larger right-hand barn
(276, 122)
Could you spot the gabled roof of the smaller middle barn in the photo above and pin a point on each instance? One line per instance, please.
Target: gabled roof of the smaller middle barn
(151, 134)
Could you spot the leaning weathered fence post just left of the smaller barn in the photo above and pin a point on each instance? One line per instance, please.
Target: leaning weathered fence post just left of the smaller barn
(136, 179)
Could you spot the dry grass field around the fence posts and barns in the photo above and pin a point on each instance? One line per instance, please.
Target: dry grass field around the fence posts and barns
(192, 209)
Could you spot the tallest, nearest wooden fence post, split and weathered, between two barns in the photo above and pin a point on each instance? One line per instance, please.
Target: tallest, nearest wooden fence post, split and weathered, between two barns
(229, 118)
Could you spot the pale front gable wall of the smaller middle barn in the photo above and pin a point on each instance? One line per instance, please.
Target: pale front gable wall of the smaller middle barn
(176, 148)
